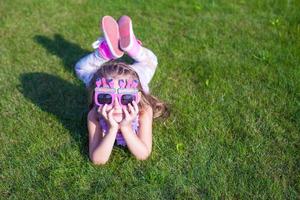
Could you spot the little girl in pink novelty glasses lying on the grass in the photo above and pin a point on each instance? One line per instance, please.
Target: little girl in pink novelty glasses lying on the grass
(122, 108)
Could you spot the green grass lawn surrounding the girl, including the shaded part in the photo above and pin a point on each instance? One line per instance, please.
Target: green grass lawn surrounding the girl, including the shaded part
(230, 71)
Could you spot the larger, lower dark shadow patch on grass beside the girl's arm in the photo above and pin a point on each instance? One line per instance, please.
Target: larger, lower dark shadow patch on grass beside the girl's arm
(62, 99)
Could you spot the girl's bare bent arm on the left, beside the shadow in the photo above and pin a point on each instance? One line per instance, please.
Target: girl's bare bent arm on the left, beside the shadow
(100, 147)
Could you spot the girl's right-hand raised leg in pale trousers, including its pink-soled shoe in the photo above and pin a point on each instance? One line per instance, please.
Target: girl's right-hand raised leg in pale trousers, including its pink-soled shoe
(146, 61)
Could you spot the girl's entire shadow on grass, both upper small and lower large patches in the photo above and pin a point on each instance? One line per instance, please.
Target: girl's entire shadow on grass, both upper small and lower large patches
(56, 96)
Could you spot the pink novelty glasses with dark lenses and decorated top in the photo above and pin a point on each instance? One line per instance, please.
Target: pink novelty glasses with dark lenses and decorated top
(106, 94)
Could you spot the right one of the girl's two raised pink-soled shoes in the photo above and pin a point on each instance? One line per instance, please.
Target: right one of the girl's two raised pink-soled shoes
(128, 42)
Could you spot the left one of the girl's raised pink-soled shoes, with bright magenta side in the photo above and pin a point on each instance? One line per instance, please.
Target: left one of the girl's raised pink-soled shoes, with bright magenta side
(111, 34)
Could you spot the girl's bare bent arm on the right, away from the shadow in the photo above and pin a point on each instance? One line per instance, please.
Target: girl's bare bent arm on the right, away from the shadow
(140, 144)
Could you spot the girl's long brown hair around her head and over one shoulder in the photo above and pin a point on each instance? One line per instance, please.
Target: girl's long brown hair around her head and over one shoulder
(114, 69)
